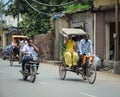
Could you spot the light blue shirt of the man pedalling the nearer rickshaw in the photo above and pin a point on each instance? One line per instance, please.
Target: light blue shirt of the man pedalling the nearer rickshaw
(85, 47)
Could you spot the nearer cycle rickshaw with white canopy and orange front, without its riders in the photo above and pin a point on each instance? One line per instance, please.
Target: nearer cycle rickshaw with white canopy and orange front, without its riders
(87, 69)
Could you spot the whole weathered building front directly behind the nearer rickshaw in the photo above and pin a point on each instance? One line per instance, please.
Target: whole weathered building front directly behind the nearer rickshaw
(80, 19)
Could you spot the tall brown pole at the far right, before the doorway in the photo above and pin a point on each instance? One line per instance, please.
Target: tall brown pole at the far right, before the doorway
(117, 29)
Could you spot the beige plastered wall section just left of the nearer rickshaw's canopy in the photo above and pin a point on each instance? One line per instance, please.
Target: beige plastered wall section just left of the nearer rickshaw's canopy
(59, 23)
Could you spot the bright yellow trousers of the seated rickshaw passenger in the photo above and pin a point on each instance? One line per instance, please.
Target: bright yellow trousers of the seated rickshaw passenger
(71, 58)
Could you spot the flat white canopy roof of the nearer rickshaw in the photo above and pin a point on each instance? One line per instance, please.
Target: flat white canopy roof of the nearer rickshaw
(71, 31)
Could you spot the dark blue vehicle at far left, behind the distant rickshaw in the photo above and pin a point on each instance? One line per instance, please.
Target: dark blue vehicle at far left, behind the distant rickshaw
(6, 52)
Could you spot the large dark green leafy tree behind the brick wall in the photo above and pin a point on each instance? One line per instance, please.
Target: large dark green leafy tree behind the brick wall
(35, 16)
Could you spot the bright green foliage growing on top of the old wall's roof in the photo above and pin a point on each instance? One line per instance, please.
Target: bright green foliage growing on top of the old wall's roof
(76, 7)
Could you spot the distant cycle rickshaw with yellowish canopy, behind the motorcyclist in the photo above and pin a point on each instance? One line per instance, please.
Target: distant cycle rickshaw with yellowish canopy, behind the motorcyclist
(14, 57)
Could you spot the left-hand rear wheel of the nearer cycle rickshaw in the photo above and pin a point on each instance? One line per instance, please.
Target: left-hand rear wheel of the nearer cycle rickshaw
(62, 71)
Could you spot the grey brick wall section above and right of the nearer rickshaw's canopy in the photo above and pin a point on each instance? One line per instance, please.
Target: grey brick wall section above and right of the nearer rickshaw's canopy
(85, 19)
